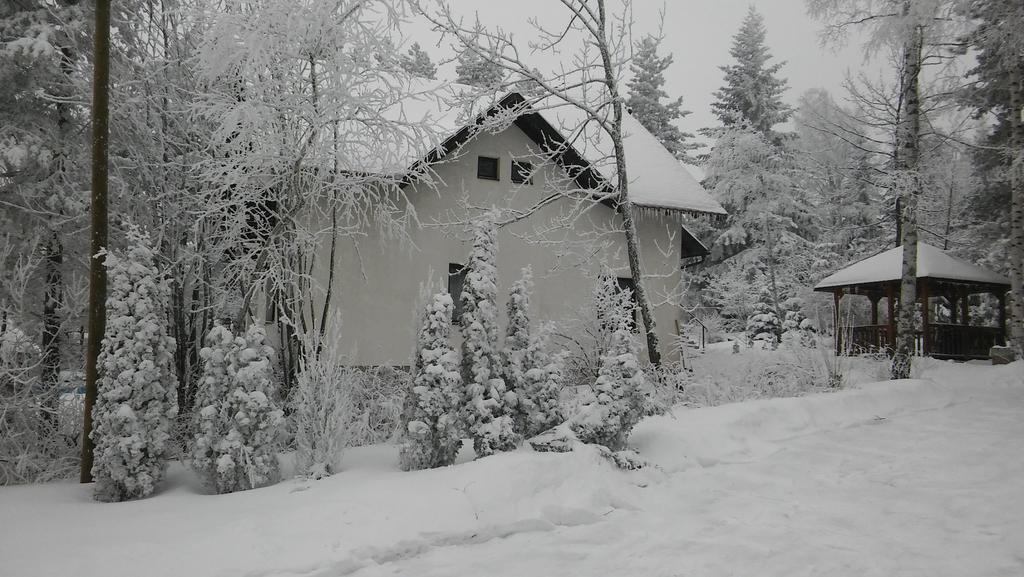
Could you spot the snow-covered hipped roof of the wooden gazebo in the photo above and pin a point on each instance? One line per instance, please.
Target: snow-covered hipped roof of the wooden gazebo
(932, 264)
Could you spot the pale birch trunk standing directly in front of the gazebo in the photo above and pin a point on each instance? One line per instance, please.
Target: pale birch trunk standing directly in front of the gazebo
(908, 184)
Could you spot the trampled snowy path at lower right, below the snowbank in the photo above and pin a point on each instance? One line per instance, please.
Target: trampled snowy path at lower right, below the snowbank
(930, 493)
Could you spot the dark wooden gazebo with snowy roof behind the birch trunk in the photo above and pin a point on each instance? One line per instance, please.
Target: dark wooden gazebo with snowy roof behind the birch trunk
(940, 276)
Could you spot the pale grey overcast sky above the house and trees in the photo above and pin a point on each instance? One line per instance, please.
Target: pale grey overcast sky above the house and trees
(700, 34)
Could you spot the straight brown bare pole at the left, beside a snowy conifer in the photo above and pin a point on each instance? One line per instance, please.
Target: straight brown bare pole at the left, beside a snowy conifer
(98, 270)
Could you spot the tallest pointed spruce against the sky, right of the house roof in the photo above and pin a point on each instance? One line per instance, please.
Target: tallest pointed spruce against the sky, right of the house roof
(753, 92)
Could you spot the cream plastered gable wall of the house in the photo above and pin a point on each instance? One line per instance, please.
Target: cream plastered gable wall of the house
(379, 282)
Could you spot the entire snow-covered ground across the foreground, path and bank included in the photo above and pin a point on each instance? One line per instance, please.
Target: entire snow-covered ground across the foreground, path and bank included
(908, 478)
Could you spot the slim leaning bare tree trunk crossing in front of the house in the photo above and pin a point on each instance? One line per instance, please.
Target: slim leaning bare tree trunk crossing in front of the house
(624, 204)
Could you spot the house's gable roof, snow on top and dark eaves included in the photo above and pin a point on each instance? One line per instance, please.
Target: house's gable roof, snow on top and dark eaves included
(657, 179)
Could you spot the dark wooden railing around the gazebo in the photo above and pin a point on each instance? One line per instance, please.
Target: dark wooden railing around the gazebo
(954, 342)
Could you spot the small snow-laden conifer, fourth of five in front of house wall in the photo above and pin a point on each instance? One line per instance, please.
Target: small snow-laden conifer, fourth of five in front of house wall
(540, 393)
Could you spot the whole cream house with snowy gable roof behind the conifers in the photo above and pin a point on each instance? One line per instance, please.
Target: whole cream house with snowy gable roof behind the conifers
(547, 184)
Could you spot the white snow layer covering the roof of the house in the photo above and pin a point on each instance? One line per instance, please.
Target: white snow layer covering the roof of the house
(658, 180)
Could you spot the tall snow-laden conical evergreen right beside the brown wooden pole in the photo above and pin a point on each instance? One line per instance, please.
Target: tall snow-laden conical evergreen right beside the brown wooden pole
(137, 406)
